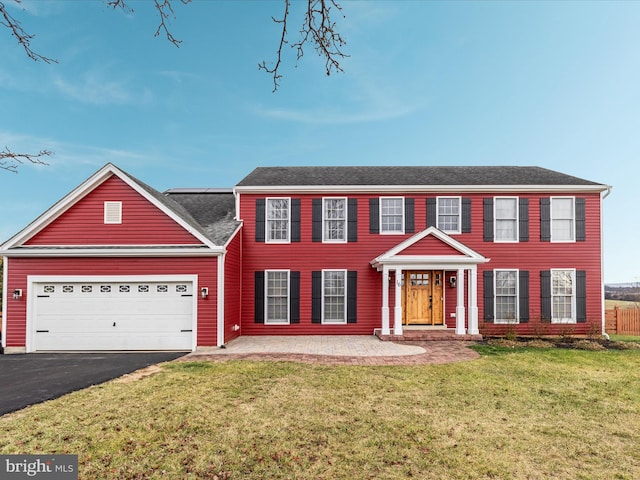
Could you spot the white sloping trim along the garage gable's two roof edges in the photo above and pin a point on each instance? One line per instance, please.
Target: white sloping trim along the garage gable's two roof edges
(80, 192)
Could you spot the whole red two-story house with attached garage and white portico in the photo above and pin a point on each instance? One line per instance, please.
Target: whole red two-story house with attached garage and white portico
(117, 265)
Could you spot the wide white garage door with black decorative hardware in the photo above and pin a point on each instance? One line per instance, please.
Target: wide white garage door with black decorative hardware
(118, 315)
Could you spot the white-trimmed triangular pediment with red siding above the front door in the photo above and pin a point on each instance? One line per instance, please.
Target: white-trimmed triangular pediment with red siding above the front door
(429, 247)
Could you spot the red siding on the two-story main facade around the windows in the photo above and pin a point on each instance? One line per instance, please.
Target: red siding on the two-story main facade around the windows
(306, 256)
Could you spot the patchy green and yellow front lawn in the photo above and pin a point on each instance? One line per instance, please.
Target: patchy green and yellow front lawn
(516, 413)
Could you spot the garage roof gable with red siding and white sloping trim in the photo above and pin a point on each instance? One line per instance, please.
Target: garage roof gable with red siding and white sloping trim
(77, 219)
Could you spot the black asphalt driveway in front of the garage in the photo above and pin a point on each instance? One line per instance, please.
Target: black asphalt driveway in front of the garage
(36, 377)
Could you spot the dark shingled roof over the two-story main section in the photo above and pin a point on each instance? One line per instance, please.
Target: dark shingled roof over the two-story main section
(416, 175)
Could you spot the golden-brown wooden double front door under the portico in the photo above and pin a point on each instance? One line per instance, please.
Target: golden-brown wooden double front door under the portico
(422, 300)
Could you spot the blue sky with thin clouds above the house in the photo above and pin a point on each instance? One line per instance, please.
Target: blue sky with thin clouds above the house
(552, 84)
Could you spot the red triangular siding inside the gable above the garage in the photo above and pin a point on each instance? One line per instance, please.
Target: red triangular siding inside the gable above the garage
(142, 222)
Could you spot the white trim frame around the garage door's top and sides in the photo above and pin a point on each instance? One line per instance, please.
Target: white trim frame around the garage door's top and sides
(31, 298)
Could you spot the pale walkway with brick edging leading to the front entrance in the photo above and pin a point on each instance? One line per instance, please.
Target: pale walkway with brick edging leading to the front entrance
(337, 350)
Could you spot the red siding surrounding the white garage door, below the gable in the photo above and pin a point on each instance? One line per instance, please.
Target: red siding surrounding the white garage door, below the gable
(19, 268)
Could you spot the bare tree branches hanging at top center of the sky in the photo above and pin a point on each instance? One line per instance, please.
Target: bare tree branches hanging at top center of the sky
(319, 30)
